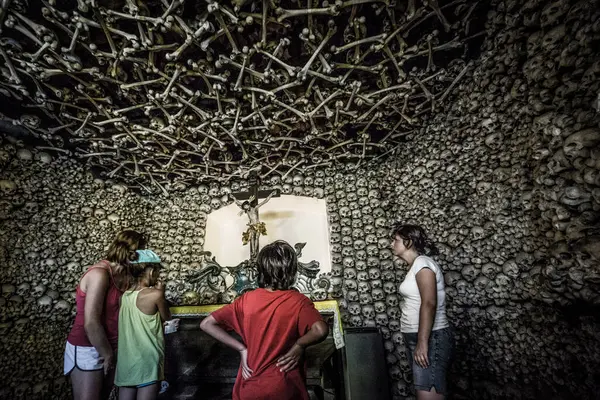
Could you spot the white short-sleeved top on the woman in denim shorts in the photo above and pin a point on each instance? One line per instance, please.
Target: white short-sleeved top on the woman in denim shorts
(411, 298)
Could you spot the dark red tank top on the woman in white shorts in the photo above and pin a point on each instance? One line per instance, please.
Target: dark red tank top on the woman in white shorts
(110, 312)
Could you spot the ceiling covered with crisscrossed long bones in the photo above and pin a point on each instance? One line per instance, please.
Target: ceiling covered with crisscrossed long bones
(180, 92)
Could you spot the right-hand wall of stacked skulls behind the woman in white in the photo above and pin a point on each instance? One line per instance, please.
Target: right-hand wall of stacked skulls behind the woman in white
(506, 179)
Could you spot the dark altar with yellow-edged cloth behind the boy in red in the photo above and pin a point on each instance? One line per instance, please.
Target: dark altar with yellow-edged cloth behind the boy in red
(199, 367)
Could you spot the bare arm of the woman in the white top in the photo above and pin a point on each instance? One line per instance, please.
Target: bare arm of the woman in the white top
(428, 291)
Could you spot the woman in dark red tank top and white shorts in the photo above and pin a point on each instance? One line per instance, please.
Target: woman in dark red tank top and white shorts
(90, 353)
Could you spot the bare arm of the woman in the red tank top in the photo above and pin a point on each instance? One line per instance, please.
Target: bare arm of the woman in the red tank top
(97, 283)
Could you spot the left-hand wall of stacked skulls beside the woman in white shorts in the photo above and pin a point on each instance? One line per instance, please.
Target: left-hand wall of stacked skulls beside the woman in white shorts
(54, 221)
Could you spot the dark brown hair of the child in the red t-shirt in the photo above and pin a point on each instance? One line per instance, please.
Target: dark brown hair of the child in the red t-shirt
(277, 266)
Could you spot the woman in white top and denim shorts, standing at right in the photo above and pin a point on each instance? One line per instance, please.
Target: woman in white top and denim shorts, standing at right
(424, 325)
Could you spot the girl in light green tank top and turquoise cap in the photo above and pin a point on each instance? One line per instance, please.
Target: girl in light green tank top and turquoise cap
(141, 347)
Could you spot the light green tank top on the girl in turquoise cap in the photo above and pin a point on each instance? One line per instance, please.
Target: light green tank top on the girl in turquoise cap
(141, 349)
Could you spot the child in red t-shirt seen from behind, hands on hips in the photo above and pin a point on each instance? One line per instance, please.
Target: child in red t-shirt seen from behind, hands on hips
(276, 324)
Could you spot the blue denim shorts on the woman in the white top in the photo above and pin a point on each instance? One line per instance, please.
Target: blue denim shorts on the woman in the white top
(440, 349)
